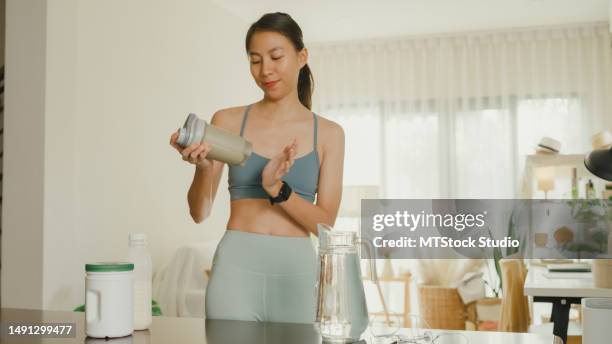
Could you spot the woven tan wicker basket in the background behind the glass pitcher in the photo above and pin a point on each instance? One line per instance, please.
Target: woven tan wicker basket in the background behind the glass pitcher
(441, 307)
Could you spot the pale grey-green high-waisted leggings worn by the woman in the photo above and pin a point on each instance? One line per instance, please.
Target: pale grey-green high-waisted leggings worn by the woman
(259, 277)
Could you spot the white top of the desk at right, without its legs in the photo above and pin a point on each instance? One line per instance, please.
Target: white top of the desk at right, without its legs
(581, 285)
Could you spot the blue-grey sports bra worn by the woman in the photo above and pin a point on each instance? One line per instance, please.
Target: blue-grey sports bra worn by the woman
(303, 177)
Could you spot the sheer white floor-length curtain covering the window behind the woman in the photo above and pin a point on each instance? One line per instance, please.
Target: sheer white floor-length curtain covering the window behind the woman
(454, 115)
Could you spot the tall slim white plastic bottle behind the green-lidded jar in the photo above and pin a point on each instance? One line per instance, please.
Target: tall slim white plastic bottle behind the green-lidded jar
(139, 255)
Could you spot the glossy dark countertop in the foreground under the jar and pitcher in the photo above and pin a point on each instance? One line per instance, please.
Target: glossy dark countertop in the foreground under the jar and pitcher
(200, 331)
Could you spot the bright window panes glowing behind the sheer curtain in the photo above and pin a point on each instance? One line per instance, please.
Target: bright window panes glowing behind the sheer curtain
(472, 149)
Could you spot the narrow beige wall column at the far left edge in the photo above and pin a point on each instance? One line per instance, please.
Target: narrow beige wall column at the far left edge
(23, 164)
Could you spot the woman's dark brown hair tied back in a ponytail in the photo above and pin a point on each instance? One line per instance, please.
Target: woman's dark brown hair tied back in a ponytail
(286, 26)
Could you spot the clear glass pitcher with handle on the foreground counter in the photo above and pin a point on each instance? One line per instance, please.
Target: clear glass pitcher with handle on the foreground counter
(342, 314)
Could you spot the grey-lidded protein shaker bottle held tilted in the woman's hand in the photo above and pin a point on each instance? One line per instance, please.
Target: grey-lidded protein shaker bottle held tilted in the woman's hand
(226, 146)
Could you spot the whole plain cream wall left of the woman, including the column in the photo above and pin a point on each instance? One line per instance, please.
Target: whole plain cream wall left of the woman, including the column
(118, 77)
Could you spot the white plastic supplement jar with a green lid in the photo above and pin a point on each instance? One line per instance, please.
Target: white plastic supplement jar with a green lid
(109, 288)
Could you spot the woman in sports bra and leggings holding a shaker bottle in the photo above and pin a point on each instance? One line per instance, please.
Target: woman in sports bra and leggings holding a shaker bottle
(264, 268)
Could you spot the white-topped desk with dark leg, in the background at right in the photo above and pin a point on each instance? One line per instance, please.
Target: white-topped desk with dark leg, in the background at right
(562, 292)
